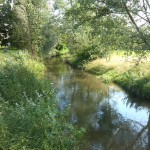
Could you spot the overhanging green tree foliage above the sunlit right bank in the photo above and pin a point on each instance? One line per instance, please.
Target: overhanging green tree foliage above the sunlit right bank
(105, 26)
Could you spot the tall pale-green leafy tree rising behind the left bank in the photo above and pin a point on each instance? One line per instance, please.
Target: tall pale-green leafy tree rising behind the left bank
(30, 17)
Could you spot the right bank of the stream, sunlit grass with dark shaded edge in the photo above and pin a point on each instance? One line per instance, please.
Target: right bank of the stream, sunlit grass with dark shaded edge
(124, 69)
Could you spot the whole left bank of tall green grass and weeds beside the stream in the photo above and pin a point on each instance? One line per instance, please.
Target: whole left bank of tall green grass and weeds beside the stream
(29, 113)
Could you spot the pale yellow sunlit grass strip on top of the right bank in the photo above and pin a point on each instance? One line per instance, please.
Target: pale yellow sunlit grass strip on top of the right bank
(120, 63)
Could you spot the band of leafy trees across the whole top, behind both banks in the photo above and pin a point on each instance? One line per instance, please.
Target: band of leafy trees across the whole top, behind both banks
(89, 29)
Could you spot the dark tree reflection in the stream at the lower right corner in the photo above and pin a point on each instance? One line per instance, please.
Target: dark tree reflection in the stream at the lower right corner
(116, 132)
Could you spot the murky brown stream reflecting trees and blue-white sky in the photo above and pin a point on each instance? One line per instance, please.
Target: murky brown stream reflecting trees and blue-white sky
(113, 120)
